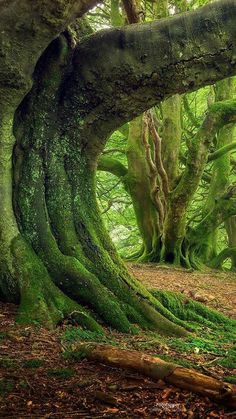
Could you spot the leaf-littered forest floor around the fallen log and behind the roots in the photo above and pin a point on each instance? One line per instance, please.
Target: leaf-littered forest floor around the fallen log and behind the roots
(39, 379)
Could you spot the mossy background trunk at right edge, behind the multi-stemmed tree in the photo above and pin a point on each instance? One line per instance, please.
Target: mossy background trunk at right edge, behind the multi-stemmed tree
(204, 246)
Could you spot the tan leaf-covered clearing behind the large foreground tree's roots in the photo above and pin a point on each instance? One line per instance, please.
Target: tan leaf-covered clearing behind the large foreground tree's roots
(214, 288)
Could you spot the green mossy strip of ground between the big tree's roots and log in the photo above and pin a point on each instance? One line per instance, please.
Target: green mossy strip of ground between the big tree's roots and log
(212, 342)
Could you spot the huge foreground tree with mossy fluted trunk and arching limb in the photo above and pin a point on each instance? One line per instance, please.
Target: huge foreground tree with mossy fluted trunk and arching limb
(56, 258)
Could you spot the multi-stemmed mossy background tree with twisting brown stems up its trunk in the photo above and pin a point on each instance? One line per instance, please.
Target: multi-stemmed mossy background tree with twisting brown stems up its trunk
(161, 195)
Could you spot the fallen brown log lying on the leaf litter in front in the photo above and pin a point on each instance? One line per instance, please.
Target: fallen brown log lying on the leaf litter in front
(156, 368)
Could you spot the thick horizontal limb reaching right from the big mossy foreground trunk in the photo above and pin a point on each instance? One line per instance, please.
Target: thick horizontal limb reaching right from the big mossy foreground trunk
(150, 62)
